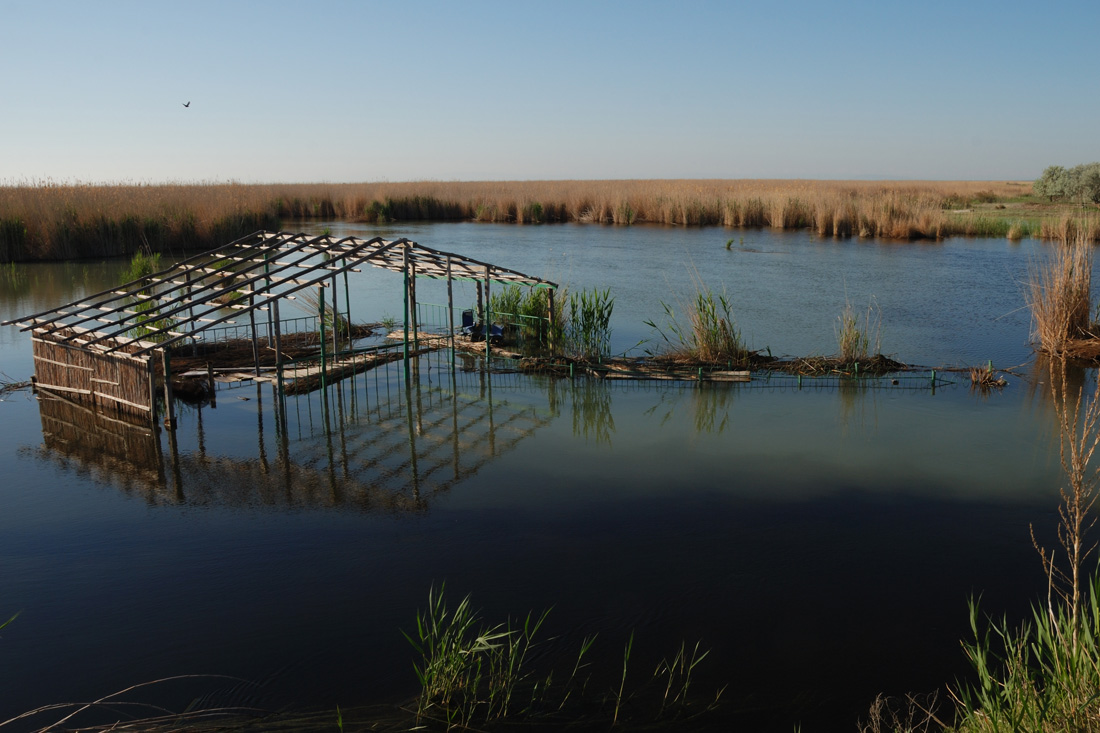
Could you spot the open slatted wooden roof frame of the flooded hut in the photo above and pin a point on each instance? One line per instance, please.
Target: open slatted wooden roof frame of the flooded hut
(248, 275)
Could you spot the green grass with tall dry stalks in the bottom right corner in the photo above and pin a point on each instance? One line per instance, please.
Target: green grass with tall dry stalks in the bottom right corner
(1044, 675)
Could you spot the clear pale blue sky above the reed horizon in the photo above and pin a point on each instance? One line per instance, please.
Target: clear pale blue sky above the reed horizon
(347, 92)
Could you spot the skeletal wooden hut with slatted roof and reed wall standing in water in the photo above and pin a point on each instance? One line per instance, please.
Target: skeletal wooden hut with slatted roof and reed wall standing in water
(115, 348)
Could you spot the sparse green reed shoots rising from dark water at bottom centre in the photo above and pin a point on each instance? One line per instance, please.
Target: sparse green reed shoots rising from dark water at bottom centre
(477, 675)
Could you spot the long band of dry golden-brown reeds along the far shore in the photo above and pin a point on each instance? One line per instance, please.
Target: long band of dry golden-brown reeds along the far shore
(58, 222)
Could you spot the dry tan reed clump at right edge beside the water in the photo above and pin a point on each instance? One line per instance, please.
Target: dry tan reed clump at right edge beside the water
(1060, 294)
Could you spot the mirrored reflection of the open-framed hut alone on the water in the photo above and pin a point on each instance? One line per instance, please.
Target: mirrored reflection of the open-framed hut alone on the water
(375, 443)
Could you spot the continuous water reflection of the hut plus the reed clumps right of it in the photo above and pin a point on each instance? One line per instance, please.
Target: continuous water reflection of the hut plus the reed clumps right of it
(380, 443)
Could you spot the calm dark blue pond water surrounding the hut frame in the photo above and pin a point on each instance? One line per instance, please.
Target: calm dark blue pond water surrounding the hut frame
(822, 542)
